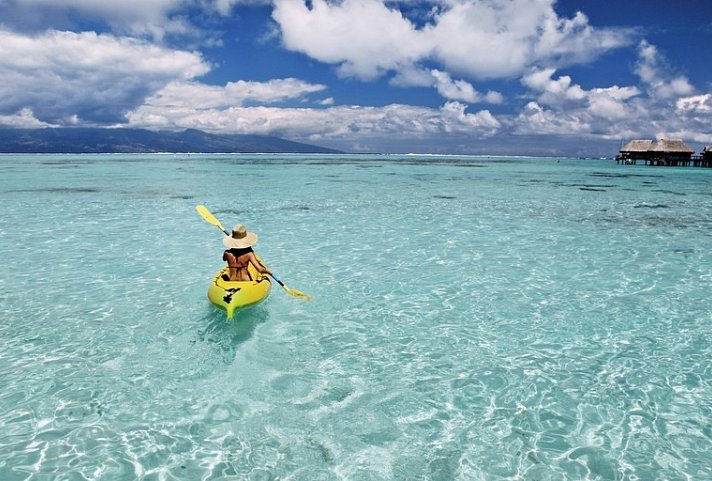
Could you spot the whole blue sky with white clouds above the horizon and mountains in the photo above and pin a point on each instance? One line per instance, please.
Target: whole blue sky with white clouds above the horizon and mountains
(444, 76)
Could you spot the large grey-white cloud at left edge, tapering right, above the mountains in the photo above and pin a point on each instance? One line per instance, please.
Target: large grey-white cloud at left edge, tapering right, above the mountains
(64, 77)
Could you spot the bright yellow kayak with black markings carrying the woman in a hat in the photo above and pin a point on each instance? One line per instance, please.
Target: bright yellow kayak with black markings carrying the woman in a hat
(234, 295)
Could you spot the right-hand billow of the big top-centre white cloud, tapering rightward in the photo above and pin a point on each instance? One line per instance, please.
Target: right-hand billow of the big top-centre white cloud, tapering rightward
(502, 39)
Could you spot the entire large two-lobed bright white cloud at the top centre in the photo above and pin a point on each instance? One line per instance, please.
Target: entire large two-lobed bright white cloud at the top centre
(496, 39)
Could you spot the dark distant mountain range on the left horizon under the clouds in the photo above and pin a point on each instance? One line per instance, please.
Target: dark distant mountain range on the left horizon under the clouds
(98, 140)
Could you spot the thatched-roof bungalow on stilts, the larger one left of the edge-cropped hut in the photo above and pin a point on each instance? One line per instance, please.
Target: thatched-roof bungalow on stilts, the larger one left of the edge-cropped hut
(671, 153)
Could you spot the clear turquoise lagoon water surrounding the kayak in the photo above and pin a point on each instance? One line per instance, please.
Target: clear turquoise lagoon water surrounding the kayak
(474, 319)
